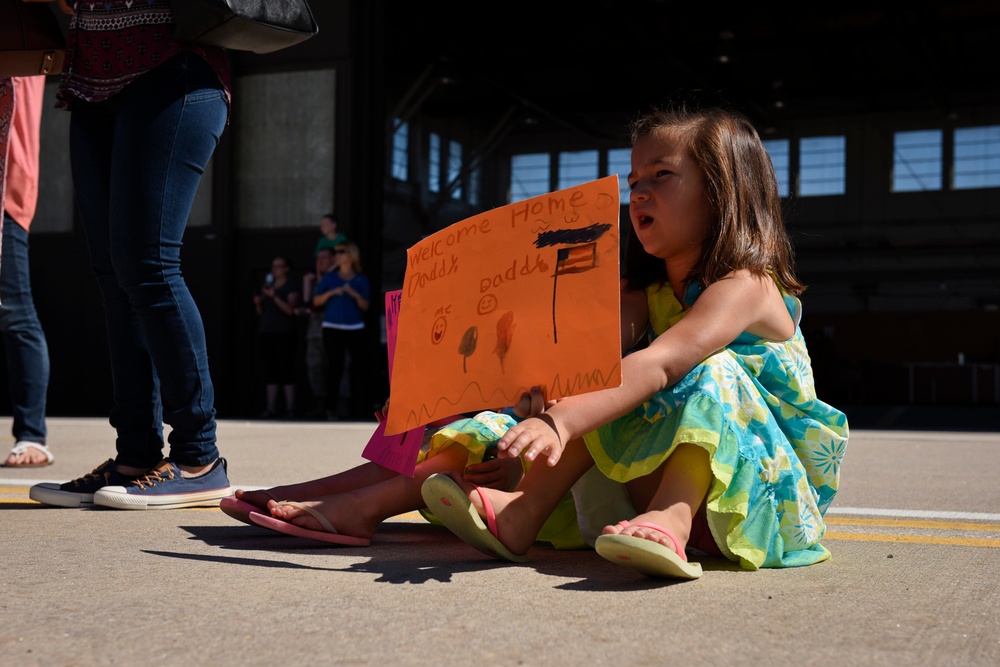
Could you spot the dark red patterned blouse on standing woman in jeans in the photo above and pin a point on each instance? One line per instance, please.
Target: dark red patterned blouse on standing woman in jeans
(114, 42)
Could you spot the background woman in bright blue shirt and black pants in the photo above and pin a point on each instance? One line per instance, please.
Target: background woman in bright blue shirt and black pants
(344, 294)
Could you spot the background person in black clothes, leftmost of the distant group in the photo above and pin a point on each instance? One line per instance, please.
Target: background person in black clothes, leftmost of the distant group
(276, 305)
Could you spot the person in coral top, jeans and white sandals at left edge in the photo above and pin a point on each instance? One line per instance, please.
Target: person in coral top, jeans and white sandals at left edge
(23, 338)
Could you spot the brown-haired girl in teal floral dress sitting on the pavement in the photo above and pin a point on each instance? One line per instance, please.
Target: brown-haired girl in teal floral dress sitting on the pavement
(715, 439)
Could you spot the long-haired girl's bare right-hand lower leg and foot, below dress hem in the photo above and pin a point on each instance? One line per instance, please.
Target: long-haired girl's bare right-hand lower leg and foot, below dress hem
(671, 498)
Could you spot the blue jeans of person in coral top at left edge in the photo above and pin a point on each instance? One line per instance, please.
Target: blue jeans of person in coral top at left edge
(23, 339)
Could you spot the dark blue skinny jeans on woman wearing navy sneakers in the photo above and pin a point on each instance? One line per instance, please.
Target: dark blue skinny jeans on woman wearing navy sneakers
(137, 160)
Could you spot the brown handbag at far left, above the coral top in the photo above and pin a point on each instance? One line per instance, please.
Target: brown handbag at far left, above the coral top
(31, 39)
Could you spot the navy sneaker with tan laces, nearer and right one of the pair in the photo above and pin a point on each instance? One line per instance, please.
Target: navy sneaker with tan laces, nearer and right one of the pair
(163, 488)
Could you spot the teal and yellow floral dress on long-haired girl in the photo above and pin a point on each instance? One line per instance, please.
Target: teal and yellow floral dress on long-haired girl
(775, 448)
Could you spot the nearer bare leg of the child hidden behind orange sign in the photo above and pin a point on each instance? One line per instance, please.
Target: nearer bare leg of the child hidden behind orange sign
(358, 511)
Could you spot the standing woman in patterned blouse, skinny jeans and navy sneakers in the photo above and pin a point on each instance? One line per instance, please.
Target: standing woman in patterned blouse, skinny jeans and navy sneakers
(147, 114)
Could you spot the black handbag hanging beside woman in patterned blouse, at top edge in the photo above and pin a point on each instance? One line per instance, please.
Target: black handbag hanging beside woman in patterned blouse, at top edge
(260, 26)
